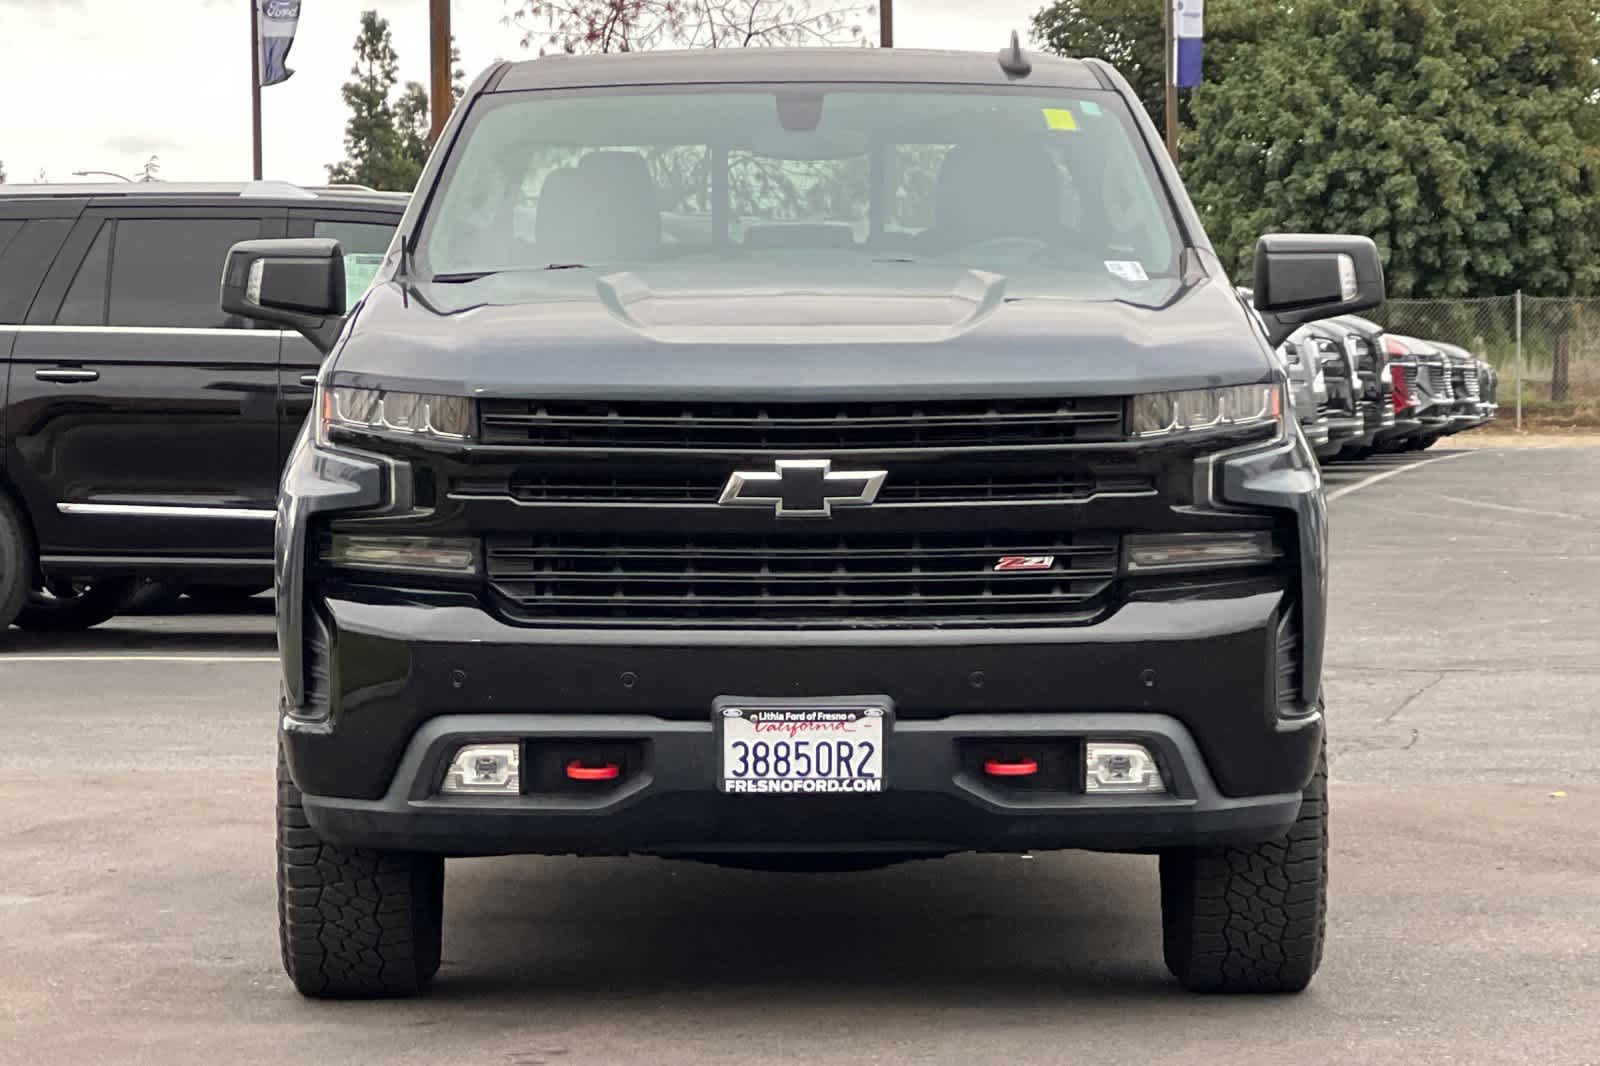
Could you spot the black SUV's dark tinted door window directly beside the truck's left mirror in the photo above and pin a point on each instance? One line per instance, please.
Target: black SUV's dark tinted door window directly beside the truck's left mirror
(166, 271)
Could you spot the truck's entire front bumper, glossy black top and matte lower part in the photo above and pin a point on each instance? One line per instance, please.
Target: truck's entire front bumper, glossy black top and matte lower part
(1194, 681)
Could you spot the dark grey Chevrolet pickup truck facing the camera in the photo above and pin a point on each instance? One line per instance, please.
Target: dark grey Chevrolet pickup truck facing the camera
(858, 455)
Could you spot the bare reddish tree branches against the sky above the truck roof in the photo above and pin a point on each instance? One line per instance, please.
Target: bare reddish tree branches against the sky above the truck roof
(646, 25)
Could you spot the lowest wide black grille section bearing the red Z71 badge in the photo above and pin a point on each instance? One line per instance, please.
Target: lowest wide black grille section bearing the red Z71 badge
(802, 579)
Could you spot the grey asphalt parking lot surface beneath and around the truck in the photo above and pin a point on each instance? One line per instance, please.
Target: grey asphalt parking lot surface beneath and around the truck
(137, 918)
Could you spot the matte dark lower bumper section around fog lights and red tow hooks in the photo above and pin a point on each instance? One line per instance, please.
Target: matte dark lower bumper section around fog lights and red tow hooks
(668, 803)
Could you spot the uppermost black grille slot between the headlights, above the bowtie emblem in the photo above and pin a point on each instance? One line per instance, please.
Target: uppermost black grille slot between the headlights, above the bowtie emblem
(801, 427)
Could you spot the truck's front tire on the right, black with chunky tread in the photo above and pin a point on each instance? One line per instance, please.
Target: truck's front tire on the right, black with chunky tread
(1250, 920)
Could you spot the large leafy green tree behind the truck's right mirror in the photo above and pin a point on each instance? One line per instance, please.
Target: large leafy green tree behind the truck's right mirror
(1463, 137)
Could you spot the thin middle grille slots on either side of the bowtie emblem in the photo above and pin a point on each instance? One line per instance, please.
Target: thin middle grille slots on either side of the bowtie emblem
(927, 487)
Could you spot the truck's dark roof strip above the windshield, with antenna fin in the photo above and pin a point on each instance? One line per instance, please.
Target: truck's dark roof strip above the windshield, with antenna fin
(793, 65)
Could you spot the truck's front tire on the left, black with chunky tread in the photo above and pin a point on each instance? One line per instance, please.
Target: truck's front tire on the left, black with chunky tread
(354, 923)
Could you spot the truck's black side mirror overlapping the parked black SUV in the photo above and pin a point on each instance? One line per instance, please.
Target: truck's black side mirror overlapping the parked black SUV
(290, 284)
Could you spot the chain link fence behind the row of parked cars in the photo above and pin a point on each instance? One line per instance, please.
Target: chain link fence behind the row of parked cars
(1546, 350)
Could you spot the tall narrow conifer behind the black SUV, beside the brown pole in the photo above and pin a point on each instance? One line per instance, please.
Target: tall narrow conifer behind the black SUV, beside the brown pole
(386, 138)
